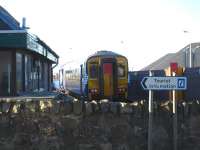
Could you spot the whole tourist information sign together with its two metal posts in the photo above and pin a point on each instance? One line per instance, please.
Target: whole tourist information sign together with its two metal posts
(163, 83)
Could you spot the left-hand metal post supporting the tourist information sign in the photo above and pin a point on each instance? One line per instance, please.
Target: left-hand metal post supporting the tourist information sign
(150, 127)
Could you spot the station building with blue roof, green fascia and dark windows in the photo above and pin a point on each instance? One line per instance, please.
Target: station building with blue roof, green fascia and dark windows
(26, 62)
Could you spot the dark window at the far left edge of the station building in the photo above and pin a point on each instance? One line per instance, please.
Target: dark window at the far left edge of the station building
(5, 73)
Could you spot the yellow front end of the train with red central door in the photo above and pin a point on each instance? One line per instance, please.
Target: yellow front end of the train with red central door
(107, 75)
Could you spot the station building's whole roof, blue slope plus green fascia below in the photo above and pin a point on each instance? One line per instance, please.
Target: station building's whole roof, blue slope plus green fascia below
(13, 36)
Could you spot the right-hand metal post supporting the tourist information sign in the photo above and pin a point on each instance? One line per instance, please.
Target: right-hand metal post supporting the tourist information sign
(174, 117)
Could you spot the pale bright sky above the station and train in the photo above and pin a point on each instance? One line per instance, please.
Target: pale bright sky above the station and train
(141, 30)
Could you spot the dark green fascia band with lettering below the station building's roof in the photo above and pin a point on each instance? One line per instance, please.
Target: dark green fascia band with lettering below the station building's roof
(24, 40)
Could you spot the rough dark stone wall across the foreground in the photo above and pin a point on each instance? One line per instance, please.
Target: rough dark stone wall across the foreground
(77, 125)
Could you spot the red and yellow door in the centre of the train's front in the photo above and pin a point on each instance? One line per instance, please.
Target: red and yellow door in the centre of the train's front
(108, 79)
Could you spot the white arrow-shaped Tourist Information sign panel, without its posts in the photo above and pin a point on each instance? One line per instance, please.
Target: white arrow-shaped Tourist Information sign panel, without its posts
(164, 83)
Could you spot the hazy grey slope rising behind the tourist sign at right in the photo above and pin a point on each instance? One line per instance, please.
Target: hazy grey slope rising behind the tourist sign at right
(187, 57)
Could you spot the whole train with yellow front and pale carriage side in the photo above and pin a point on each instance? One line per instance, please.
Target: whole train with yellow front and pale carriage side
(104, 75)
